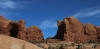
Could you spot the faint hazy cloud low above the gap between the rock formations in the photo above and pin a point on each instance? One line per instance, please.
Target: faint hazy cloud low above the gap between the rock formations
(48, 24)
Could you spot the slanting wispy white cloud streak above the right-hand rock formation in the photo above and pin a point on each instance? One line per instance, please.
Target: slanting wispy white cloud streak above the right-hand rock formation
(89, 12)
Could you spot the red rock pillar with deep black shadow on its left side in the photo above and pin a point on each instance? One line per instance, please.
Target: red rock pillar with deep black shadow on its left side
(18, 29)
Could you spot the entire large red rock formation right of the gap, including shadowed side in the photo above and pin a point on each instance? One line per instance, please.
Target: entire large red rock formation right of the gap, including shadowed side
(72, 30)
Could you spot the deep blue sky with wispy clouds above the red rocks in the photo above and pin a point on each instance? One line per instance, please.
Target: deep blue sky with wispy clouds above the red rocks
(45, 13)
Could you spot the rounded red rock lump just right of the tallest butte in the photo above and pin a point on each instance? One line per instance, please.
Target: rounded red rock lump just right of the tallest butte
(90, 32)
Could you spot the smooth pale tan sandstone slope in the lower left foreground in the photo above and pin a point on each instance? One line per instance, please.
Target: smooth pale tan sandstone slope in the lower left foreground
(13, 43)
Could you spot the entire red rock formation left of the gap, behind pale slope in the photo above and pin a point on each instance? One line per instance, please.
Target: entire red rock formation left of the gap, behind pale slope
(18, 30)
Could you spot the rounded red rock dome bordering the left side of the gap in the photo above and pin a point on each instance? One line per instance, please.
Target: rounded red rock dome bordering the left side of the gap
(34, 34)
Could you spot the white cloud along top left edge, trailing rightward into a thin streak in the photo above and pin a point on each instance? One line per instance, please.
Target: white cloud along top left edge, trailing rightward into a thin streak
(11, 4)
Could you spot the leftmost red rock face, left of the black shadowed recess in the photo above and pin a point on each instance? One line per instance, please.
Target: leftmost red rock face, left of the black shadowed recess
(3, 25)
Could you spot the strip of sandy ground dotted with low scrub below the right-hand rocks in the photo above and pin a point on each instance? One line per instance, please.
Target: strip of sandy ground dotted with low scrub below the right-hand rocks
(60, 45)
